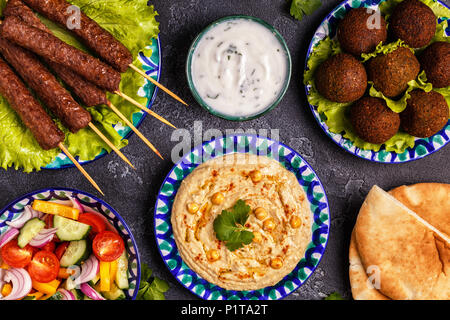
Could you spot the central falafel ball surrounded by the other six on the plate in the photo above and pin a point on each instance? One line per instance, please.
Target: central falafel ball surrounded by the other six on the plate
(391, 72)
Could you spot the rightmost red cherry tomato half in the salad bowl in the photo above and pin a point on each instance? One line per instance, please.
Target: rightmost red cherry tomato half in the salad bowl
(108, 246)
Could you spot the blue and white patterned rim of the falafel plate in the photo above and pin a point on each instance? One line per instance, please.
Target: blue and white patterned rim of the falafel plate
(388, 157)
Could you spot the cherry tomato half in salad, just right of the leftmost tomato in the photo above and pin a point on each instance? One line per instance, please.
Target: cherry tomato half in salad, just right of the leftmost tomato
(44, 267)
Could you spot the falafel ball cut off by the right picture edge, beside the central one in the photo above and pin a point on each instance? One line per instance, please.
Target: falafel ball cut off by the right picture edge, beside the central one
(435, 60)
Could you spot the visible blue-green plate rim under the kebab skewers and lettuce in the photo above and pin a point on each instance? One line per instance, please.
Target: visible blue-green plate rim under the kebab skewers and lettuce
(146, 62)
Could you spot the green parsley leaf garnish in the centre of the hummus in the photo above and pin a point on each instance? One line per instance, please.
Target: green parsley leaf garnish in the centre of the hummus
(229, 226)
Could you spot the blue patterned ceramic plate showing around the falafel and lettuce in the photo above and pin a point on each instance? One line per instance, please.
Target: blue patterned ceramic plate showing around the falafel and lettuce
(422, 147)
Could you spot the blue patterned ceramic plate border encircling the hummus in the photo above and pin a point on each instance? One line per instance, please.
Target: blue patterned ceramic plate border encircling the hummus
(293, 162)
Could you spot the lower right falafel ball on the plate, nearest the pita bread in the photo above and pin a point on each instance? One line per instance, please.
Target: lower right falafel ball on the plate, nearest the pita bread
(426, 114)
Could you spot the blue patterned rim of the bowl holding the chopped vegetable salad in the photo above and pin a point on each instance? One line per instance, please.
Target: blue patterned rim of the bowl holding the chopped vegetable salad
(92, 204)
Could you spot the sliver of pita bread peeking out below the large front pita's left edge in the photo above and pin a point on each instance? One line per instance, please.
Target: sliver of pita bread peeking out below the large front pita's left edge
(362, 288)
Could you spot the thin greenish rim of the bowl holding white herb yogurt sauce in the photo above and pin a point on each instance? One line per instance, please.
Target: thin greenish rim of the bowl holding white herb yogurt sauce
(272, 105)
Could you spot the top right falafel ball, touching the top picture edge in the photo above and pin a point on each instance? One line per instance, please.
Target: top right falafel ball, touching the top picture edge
(413, 22)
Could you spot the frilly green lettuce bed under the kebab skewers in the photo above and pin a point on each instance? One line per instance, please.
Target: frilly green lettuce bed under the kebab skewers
(133, 23)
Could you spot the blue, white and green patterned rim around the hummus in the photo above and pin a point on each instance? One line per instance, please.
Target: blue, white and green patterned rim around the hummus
(313, 251)
